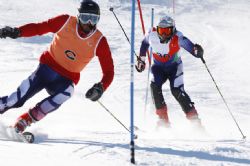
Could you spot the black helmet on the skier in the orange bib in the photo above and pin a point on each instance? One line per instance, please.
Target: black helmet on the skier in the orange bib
(89, 6)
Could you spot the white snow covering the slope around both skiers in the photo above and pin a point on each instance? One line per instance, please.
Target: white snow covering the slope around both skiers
(82, 132)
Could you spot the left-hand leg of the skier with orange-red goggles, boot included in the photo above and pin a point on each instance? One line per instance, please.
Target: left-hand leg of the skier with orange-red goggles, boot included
(156, 92)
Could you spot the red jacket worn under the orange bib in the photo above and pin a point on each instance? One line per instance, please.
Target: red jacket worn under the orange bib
(54, 25)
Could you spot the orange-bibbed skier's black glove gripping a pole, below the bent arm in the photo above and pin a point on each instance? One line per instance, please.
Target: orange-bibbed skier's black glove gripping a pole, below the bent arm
(95, 92)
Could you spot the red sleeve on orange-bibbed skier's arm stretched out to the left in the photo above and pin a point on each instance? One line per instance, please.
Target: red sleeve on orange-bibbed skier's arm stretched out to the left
(52, 25)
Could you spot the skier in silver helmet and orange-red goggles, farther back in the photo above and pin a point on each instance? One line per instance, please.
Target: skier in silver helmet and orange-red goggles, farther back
(166, 42)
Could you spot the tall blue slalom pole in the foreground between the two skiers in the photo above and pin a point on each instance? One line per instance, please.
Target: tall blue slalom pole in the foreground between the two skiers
(132, 143)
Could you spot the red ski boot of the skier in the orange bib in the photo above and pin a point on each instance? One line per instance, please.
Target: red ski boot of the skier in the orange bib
(22, 122)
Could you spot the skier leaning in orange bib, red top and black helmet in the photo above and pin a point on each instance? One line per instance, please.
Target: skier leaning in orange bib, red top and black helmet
(76, 41)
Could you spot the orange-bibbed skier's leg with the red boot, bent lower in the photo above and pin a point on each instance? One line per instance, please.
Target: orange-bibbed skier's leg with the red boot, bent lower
(61, 93)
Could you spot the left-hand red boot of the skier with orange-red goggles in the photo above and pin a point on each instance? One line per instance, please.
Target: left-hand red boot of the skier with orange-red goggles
(163, 117)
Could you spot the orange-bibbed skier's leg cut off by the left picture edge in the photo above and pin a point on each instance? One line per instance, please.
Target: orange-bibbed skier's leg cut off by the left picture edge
(26, 90)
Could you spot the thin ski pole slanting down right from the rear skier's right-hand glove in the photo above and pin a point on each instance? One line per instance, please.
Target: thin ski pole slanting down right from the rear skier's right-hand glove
(204, 62)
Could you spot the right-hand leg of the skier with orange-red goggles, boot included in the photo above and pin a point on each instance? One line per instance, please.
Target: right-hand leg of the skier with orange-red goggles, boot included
(177, 89)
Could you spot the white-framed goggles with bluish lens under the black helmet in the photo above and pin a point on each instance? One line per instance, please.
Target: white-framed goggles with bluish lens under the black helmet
(85, 18)
